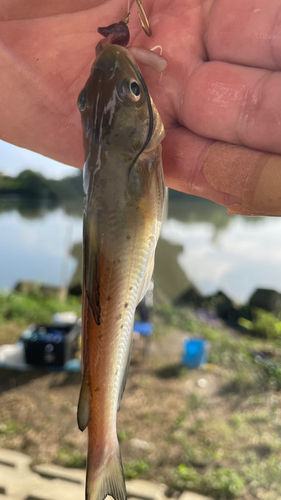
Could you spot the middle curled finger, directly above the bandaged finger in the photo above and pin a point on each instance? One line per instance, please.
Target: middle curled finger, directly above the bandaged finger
(234, 104)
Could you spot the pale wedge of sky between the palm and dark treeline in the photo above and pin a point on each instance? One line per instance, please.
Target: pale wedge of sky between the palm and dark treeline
(13, 160)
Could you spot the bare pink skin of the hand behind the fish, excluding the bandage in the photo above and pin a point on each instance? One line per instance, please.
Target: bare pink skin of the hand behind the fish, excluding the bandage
(222, 82)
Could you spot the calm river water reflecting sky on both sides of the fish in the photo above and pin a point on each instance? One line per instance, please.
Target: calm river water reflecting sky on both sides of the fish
(199, 241)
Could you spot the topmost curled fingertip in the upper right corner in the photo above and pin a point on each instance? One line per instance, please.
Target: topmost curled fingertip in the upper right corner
(243, 32)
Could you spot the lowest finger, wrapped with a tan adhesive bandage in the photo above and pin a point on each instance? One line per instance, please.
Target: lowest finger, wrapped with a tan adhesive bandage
(247, 181)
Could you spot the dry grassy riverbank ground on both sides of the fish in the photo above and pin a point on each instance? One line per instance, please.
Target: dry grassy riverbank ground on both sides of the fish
(219, 437)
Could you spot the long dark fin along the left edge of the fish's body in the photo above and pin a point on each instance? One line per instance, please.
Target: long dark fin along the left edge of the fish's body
(91, 262)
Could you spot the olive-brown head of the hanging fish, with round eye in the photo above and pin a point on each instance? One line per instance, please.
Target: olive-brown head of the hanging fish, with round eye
(115, 106)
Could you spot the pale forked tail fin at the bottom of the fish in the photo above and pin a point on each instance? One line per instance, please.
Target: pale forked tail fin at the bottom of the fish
(107, 479)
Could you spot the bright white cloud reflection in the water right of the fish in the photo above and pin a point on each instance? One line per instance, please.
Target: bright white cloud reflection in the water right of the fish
(237, 259)
